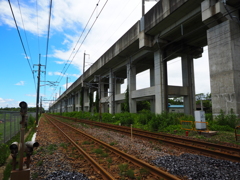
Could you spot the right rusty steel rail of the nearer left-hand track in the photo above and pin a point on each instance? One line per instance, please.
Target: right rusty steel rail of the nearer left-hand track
(153, 169)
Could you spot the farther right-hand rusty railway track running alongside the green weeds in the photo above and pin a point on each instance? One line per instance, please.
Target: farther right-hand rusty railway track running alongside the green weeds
(200, 147)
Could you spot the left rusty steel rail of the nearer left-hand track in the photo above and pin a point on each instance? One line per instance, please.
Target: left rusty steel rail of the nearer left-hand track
(96, 166)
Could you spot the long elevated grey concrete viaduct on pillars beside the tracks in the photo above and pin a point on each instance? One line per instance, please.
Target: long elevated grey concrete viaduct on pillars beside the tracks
(172, 28)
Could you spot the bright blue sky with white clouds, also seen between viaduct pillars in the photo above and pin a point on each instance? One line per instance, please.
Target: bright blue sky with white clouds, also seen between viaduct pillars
(68, 19)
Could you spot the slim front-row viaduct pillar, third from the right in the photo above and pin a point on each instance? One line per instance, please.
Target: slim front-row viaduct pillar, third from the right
(131, 82)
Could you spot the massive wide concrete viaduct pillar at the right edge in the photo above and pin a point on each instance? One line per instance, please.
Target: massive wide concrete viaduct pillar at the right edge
(224, 64)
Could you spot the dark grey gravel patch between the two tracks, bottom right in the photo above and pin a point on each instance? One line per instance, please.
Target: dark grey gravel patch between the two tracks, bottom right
(199, 167)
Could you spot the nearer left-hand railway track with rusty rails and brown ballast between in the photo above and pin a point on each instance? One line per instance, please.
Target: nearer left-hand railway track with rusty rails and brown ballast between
(99, 153)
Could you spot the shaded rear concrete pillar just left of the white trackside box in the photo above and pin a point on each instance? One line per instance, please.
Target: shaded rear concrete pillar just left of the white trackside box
(188, 81)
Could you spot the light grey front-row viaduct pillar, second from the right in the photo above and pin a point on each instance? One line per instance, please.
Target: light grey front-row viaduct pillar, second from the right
(160, 80)
